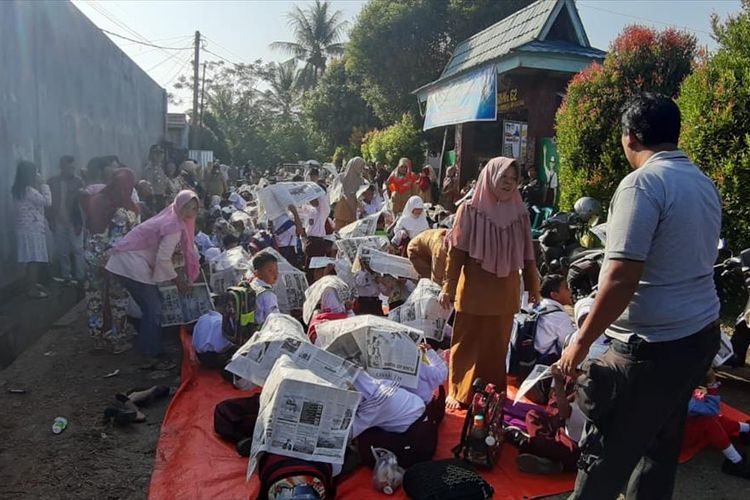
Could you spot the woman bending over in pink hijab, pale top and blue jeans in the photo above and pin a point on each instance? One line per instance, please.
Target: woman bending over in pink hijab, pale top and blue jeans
(149, 255)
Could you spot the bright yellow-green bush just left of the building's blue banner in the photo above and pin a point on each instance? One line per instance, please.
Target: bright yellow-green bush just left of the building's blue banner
(390, 144)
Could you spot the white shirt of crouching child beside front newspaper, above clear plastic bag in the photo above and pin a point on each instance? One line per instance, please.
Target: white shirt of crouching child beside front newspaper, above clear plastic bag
(384, 405)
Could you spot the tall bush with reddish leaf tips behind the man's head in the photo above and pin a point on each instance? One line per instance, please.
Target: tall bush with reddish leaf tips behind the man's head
(588, 122)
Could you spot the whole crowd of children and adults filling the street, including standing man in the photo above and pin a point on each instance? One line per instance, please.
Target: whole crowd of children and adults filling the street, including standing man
(643, 343)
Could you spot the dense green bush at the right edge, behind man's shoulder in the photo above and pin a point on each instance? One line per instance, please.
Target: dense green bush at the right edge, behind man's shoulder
(715, 105)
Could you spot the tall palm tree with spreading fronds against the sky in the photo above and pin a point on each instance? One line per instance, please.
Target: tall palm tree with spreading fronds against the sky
(317, 32)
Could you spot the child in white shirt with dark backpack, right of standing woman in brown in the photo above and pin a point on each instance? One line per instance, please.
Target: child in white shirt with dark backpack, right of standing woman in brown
(556, 326)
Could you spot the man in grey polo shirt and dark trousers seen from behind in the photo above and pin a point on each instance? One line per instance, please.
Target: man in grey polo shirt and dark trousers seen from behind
(658, 303)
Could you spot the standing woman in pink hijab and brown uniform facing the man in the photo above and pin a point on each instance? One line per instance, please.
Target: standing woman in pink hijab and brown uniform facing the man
(489, 243)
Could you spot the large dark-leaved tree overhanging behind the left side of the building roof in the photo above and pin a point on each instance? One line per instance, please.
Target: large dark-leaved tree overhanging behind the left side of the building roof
(397, 46)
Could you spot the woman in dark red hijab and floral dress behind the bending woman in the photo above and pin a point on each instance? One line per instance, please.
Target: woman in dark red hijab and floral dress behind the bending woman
(109, 215)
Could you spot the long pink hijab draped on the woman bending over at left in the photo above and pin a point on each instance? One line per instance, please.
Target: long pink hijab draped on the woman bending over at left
(168, 221)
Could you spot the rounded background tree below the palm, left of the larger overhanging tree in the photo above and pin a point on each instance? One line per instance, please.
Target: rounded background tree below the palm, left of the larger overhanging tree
(336, 110)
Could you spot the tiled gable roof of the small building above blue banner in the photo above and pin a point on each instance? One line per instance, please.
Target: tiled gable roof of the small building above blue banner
(546, 26)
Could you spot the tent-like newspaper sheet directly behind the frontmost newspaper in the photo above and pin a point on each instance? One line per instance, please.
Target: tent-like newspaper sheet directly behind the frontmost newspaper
(283, 335)
